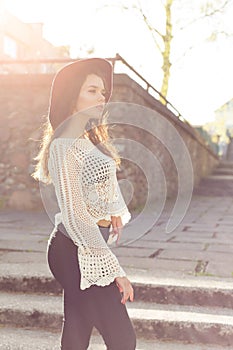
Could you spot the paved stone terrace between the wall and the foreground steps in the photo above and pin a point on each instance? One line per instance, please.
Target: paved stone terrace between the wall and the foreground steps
(200, 248)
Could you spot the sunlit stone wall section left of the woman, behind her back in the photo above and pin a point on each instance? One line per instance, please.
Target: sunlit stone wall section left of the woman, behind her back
(24, 101)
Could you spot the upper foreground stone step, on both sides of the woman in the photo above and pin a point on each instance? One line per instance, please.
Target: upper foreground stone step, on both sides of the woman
(153, 293)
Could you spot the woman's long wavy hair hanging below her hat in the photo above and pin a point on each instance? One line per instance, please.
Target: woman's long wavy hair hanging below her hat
(98, 135)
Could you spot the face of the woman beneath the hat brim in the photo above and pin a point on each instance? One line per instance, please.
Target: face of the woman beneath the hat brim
(92, 93)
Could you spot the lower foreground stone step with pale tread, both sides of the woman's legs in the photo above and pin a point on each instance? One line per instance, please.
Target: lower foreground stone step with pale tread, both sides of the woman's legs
(151, 321)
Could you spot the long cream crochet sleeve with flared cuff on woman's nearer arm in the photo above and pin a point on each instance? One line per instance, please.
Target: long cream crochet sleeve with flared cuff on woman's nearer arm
(98, 265)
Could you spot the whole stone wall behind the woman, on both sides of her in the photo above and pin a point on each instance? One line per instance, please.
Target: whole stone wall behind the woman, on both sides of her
(24, 103)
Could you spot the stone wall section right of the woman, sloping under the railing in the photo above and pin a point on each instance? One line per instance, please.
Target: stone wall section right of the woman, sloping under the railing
(202, 157)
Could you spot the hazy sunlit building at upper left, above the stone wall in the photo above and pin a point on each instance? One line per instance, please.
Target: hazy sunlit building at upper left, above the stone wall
(24, 41)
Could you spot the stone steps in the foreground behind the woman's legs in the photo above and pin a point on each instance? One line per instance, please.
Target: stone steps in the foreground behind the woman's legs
(175, 316)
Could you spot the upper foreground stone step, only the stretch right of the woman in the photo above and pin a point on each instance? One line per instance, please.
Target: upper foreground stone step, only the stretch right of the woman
(194, 292)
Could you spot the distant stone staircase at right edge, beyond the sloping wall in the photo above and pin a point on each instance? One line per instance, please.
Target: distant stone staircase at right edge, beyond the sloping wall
(219, 183)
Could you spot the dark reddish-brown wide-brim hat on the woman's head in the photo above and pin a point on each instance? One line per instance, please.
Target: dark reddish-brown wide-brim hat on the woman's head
(62, 82)
